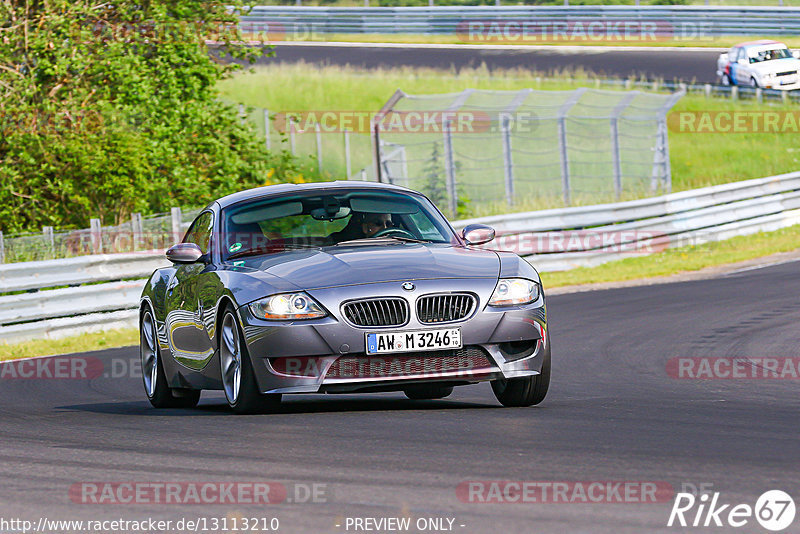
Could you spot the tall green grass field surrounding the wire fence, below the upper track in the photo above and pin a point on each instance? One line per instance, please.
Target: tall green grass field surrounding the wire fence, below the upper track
(697, 159)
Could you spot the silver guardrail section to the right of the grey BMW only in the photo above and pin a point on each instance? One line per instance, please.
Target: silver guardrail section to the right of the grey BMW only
(563, 239)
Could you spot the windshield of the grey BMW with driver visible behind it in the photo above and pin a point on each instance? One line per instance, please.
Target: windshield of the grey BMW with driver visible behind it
(319, 219)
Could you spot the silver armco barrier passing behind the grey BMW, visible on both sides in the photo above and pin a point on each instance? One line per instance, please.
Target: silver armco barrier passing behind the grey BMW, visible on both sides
(106, 288)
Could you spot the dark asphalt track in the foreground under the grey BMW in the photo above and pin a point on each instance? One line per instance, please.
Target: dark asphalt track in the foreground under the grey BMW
(613, 413)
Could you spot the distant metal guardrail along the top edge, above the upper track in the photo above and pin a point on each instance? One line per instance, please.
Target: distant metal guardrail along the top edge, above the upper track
(676, 22)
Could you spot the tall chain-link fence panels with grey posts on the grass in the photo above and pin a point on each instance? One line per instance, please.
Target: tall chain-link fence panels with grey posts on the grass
(518, 147)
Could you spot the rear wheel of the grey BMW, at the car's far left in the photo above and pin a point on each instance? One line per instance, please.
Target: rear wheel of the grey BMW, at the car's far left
(158, 391)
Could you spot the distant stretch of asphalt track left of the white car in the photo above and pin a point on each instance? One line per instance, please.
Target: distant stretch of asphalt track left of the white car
(692, 65)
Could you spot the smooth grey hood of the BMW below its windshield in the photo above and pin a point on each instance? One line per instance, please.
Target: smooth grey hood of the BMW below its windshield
(363, 264)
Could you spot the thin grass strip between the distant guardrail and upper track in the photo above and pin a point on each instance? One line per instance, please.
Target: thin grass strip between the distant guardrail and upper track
(709, 42)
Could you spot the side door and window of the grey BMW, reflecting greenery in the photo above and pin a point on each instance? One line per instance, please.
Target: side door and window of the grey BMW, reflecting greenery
(190, 338)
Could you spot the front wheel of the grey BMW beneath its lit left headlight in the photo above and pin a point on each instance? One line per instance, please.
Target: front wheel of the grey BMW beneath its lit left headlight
(236, 369)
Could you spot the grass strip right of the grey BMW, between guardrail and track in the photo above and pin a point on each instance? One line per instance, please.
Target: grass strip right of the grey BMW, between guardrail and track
(680, 260)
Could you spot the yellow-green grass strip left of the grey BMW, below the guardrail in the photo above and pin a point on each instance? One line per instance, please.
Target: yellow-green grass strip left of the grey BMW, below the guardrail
(68, 345)
